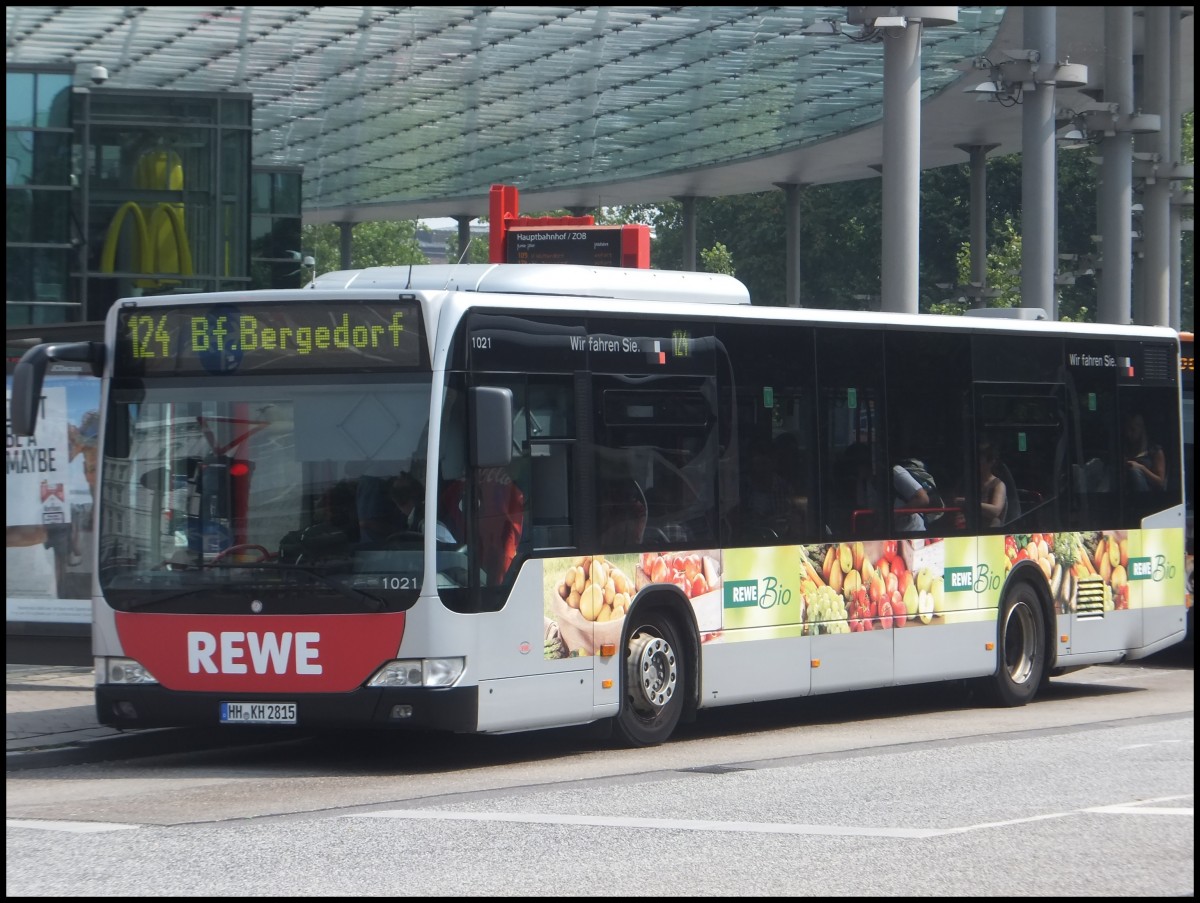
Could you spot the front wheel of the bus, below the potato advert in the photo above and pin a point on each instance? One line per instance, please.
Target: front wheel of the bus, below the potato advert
(655, 680)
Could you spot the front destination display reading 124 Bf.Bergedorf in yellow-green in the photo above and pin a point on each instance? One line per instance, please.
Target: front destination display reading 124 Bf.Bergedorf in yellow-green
(292, 337)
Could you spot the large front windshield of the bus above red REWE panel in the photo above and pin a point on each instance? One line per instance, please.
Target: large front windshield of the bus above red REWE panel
(297, 497)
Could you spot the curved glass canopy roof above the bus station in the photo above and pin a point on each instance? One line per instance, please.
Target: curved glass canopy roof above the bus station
(388, 106)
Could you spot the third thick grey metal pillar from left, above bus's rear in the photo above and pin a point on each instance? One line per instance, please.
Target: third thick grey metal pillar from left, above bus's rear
(1117, 171)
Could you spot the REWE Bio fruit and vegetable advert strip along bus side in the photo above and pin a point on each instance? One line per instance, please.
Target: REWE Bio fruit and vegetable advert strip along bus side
(855, 588)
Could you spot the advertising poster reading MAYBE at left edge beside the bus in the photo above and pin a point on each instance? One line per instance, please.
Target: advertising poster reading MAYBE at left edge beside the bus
(50, 493)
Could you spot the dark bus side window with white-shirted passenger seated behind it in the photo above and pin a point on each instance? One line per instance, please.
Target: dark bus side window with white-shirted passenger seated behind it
(928, 400)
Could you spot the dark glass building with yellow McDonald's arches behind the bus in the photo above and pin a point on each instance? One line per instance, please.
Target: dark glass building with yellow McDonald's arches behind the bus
(116, 194)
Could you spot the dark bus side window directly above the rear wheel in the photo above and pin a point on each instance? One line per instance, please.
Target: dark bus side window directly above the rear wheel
(1027, 427)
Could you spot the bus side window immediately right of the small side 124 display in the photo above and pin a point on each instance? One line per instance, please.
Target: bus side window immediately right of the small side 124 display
(769, 483)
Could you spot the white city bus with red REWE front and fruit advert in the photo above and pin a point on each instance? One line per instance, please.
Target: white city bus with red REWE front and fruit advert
(505, 498)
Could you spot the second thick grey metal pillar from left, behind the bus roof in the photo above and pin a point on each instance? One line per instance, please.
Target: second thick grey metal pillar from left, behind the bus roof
(1039, 178)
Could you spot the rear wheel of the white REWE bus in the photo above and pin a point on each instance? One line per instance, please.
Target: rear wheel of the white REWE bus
(1021, 647)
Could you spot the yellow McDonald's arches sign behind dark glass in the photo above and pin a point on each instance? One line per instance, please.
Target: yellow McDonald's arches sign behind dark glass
(161, 244)
